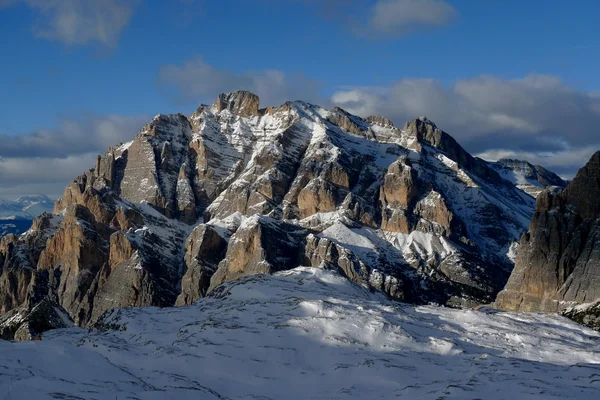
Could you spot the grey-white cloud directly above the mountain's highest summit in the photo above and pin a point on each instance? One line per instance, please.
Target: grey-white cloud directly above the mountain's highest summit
(196, 80)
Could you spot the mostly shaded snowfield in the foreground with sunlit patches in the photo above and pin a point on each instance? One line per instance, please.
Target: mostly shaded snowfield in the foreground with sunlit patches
(307, 333)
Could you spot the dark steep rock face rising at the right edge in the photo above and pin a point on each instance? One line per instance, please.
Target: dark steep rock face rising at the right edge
(558, 264)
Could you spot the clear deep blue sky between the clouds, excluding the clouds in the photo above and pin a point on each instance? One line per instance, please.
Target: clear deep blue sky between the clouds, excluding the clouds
(41, 80)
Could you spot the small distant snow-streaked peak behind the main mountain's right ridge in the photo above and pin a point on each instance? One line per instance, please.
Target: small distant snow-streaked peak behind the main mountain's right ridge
(533, 179)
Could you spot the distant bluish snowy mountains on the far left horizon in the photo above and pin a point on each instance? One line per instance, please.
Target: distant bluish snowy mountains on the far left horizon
(16, 216)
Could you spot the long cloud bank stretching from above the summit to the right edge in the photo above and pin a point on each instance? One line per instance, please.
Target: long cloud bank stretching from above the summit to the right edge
(538, 118)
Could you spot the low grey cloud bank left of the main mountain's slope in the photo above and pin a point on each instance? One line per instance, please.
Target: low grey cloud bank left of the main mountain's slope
(44, 162)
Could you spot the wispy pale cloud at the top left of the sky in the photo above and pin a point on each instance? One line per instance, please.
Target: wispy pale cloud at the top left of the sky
(77, 22)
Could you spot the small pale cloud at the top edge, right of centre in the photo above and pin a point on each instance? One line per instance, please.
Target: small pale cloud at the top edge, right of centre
(400, 17)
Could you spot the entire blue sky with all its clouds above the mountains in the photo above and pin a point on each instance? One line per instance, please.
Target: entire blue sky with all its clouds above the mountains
(516, 78)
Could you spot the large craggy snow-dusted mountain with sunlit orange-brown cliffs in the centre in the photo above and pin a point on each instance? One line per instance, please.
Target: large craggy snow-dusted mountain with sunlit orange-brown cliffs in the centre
(237, 190)
